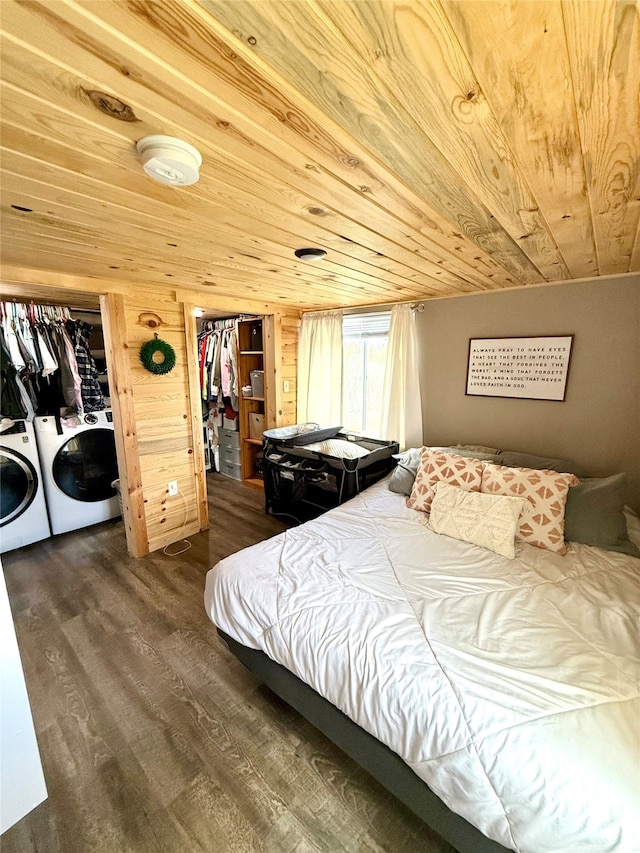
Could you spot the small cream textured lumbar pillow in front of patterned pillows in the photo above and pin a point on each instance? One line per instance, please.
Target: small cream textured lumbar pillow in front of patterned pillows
(469, 516)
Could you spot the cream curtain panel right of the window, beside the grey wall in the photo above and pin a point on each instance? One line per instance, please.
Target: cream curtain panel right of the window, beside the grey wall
(402, 409)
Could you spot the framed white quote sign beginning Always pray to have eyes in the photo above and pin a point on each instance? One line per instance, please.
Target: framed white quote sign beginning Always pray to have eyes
(527, 368)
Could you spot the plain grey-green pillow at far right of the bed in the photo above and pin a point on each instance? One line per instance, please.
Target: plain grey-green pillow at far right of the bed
(594, 515)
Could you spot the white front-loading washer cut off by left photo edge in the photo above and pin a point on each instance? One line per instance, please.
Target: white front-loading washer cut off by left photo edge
(23, 511)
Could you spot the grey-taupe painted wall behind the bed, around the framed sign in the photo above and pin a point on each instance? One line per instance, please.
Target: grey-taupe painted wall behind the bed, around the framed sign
(597, 426)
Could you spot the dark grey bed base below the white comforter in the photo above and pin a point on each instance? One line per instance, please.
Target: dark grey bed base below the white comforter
(382, 763)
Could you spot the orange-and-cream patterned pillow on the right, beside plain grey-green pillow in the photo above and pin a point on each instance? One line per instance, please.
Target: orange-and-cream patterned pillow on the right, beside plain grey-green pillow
(542, 521)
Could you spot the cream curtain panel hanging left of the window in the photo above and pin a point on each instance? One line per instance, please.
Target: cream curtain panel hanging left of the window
(320, 368)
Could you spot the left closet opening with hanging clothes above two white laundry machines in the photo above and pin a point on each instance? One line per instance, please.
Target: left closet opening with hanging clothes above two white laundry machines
(57, 442)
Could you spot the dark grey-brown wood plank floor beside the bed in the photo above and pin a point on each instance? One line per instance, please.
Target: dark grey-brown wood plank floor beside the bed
(153, 737)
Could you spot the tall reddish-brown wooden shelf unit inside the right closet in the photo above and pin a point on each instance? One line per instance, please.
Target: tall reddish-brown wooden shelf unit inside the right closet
(251, 333)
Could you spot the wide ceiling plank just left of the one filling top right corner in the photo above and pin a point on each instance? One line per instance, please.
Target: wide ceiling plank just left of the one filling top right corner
(533, 51)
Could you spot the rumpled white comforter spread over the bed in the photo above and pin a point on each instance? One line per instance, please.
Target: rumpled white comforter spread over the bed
(511, 687)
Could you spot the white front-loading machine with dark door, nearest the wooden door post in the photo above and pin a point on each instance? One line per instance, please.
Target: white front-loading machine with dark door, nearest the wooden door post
(78, 460)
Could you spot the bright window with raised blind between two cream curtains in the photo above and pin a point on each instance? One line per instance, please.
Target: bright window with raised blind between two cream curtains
(364, 352)
